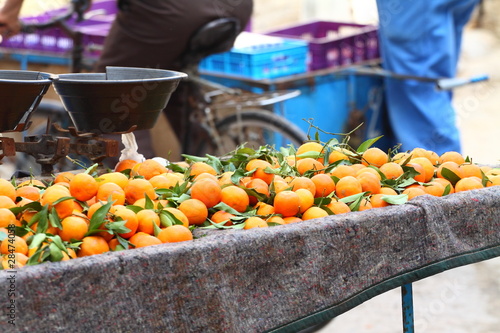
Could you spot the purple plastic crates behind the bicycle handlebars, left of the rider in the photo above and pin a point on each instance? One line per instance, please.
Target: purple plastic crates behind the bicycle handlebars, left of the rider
(55, 41)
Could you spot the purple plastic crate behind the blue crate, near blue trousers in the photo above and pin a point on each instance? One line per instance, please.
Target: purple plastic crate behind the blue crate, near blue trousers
(330, 46)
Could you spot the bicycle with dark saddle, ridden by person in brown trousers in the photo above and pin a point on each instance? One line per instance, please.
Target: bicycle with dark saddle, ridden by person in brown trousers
(228, 117)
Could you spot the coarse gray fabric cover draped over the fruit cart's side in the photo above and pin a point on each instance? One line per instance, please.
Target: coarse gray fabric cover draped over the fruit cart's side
(283, 278)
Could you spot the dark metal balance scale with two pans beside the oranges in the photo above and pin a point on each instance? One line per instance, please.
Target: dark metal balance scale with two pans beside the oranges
(122, 100)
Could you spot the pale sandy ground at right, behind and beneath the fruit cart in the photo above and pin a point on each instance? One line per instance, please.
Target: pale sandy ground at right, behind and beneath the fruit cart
(465, 299)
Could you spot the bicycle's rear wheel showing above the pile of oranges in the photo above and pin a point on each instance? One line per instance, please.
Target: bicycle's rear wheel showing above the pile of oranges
(254, 128)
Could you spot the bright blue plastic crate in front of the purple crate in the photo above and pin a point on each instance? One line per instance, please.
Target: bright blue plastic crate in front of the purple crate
(280, 58)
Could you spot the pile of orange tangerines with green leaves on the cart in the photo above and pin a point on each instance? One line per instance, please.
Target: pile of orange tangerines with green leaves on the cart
(147, 203)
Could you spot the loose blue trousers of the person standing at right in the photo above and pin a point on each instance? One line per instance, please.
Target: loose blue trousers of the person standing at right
(422, 38)
